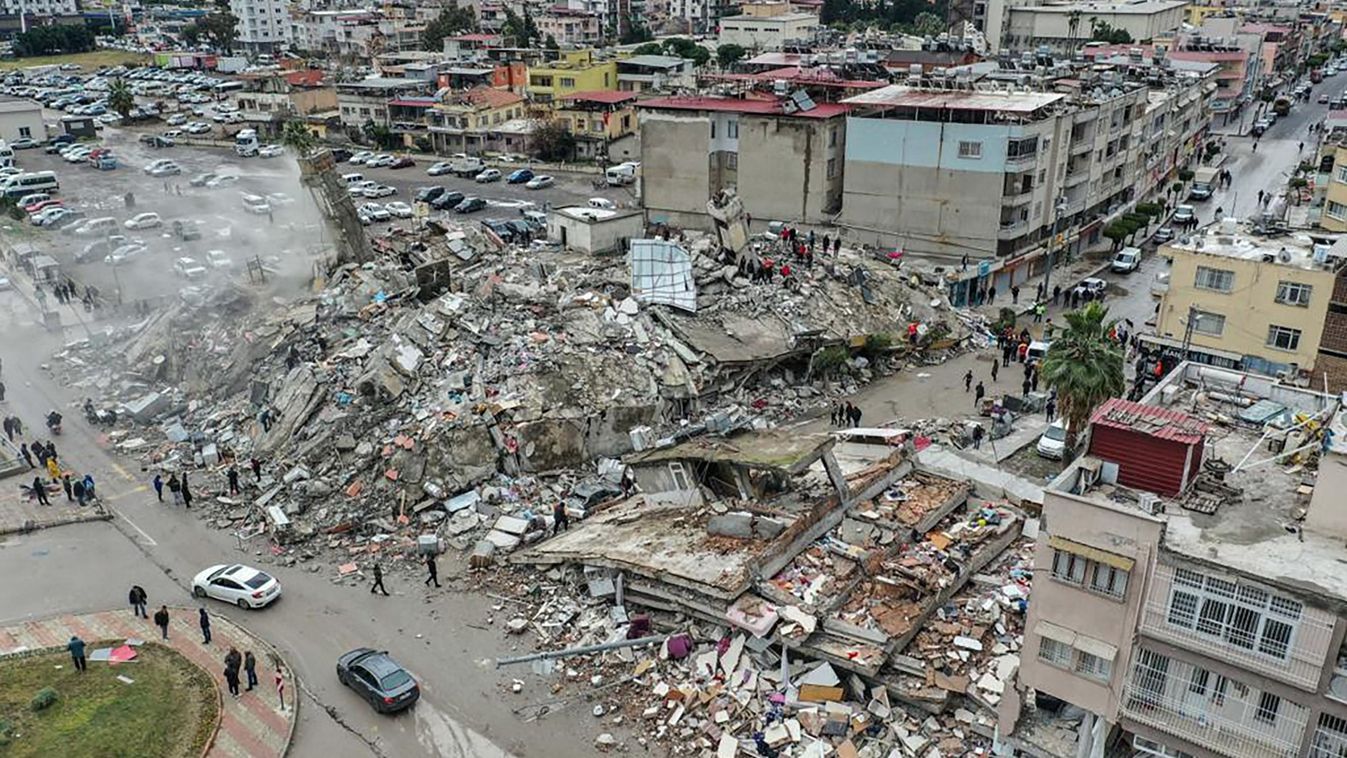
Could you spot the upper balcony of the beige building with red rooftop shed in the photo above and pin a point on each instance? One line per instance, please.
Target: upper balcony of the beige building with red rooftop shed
(1299, 662)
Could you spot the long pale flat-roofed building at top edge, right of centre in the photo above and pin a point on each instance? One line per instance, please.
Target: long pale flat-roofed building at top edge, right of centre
(1065, 28)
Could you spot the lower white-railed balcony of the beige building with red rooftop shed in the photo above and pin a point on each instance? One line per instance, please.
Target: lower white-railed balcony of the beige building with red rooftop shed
(1205, 709)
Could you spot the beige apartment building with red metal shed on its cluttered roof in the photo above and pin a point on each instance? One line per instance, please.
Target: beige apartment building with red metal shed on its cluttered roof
(1187, 589)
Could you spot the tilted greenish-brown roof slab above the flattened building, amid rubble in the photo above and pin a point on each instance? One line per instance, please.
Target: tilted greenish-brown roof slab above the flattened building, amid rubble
(771, 449)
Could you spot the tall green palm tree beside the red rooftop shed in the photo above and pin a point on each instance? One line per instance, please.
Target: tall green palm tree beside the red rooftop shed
(1085, 367)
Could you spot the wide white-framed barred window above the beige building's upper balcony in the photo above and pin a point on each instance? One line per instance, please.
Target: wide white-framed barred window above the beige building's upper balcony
(1243, 616)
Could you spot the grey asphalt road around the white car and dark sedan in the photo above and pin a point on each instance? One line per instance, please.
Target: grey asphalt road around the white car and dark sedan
(444, 638)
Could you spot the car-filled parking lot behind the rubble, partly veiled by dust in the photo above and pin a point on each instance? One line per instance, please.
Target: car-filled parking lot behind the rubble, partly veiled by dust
(285, 238)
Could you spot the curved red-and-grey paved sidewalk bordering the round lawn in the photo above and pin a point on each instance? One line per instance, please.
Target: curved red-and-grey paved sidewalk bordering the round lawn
(251, 728)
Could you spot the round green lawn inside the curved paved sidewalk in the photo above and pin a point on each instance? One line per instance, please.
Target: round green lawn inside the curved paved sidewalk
(169, 713)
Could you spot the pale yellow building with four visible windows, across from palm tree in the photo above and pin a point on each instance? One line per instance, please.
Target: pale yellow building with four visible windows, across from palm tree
(1263, 300)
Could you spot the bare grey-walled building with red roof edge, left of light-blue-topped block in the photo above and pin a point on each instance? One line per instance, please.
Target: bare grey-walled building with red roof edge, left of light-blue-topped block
(785, 160)
